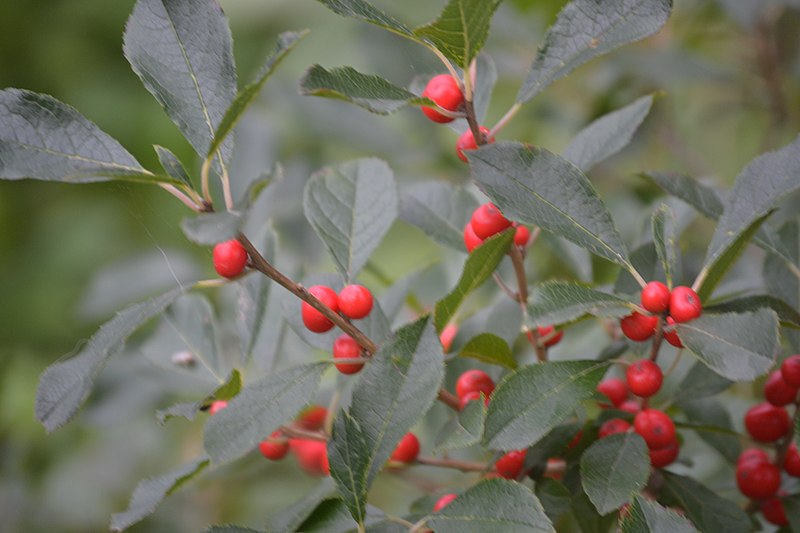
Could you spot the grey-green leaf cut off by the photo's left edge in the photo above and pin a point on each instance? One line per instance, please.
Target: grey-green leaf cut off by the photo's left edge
(45, 139)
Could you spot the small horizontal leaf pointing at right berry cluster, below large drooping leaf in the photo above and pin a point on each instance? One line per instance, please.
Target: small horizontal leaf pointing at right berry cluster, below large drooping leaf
(557, 302)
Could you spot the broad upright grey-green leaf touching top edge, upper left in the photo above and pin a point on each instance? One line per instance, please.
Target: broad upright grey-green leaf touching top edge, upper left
(183, 53)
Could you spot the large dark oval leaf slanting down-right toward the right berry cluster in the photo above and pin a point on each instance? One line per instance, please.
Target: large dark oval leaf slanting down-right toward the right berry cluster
(534, 186)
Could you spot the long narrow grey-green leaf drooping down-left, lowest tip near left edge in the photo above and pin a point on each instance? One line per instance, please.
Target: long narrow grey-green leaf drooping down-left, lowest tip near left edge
(64, 386)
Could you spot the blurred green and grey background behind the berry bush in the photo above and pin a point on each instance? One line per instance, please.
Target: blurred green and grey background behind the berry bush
(72, 255)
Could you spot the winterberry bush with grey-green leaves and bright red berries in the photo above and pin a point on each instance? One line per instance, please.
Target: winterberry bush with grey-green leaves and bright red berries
(591, 441)
